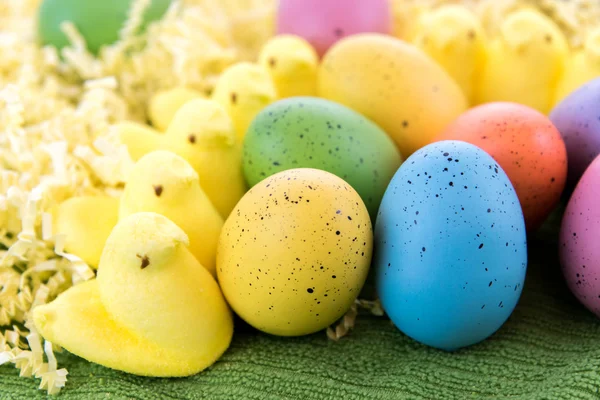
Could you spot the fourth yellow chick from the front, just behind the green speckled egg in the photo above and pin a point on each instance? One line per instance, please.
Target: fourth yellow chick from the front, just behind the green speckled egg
(244, 89)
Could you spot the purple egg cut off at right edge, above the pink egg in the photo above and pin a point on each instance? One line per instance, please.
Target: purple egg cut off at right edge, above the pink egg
(577, 118)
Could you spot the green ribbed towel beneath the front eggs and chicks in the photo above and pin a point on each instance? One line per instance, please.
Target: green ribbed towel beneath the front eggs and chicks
(548, 349)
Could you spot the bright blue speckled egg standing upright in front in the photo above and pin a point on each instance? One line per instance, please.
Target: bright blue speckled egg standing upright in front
(451, 248)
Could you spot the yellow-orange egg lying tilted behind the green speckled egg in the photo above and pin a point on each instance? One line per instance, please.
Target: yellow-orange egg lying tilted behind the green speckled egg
(394, 84)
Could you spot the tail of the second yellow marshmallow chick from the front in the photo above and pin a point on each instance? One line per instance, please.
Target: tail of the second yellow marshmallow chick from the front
(86, 221)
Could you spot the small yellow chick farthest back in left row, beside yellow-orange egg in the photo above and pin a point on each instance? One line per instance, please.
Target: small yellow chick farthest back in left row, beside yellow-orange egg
(292, 63)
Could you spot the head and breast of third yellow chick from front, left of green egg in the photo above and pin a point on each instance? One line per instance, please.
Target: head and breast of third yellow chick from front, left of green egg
(202, 133)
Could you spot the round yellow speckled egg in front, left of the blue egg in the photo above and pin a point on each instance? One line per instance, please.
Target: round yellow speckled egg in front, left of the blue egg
(295, 252)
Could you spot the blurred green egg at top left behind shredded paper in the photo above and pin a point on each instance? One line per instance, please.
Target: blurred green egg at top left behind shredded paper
(99, 21)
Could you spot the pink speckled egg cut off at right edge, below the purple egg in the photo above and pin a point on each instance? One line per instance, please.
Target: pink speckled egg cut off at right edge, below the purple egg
(579, 233)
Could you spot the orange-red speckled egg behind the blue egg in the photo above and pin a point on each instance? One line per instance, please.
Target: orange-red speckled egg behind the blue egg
(526, 145)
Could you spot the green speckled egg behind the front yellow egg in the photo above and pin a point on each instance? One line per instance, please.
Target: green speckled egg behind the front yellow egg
(308, 132)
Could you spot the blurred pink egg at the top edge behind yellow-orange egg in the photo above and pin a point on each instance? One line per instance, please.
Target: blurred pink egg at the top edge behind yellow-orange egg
(324, 22)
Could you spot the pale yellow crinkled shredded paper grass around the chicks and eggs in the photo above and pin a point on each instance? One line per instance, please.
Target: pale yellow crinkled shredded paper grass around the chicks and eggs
(57, 139)
